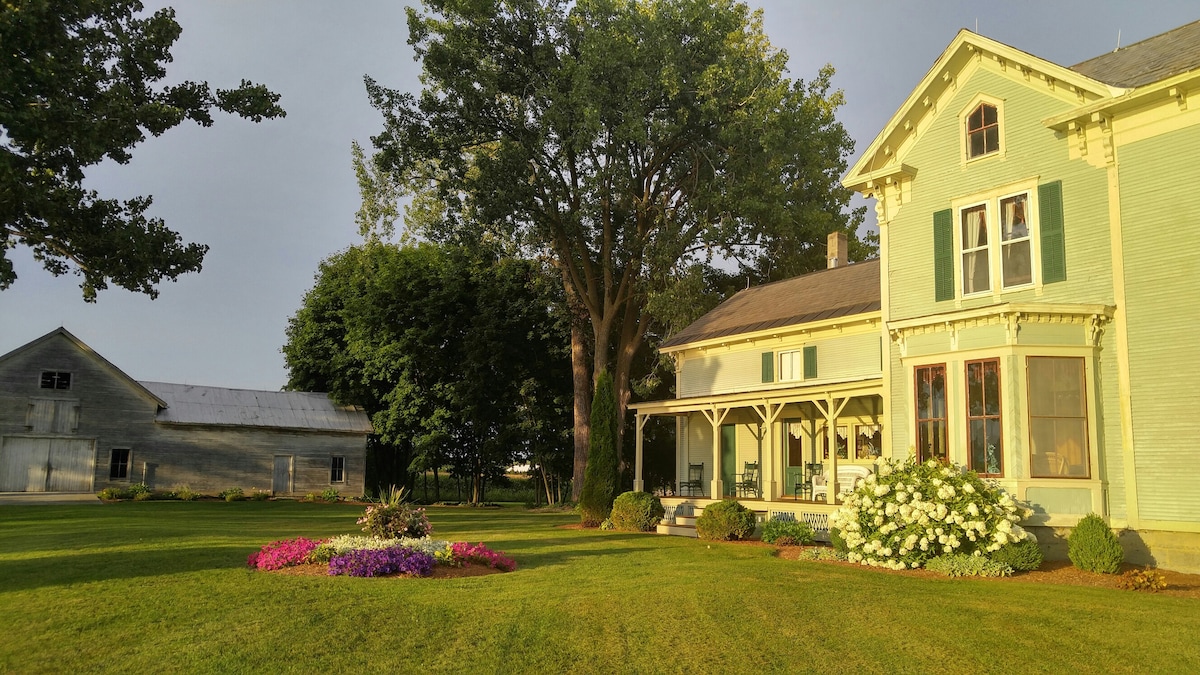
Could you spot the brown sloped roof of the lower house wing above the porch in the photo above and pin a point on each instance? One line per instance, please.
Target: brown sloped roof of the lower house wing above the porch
(819, 296)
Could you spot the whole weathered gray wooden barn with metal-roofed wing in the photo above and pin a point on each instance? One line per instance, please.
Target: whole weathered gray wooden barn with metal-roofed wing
(73, 422)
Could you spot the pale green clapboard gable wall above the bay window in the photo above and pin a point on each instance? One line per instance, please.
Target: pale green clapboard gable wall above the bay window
(1031, 152)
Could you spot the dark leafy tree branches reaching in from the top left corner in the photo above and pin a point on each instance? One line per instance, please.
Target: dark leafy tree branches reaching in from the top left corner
(79, 86)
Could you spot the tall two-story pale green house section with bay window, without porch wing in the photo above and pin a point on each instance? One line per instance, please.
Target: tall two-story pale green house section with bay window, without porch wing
(1041, 272)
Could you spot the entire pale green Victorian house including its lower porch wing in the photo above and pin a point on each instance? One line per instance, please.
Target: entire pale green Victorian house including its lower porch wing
(1040, 284)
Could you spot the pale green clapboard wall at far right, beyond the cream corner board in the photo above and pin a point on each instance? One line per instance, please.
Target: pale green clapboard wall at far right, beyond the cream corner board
(1161, 230)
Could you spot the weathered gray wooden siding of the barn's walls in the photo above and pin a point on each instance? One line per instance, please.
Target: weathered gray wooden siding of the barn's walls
(117, 413)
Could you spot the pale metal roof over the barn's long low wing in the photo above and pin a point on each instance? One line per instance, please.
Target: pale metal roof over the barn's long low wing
(188, 404)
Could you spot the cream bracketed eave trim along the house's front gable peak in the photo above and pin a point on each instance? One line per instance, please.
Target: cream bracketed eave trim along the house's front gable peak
(885, 157)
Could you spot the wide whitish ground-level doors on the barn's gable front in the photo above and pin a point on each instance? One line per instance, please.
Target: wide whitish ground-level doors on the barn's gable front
(47, 465)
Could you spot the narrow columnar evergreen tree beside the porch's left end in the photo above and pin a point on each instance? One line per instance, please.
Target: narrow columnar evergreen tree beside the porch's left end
(602, 476)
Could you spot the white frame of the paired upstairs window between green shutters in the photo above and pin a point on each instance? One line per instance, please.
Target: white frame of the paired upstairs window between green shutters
(995, 248)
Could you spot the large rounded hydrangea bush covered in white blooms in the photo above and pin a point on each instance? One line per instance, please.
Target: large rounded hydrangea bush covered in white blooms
(908, 513)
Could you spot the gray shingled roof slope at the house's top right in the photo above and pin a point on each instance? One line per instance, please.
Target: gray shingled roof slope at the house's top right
(1156, 58)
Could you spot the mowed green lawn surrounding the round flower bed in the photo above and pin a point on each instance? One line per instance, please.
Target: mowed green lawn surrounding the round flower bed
(163, 587)
